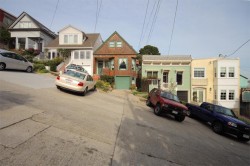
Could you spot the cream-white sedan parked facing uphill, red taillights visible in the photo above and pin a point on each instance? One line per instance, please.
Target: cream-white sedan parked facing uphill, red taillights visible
(75, 81)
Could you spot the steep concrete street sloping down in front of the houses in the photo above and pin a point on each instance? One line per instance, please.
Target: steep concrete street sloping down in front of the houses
(41, 125)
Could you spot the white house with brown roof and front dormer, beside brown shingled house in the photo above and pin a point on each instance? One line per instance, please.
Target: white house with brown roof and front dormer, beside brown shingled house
(82, 45)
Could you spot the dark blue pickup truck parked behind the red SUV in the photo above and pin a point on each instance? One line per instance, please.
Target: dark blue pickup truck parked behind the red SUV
(222, 119)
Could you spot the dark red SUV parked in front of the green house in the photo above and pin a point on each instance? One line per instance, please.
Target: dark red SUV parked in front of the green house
(167, 102)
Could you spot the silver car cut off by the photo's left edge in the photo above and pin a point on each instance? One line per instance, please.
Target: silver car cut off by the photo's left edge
(11, 60)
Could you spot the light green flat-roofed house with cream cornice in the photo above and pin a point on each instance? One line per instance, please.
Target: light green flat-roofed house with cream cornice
(172, 73)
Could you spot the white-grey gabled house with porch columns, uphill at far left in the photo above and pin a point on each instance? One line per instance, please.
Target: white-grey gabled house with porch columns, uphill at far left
(30, 33)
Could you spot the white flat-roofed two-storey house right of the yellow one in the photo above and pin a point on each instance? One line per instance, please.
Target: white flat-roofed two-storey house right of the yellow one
(227, 82)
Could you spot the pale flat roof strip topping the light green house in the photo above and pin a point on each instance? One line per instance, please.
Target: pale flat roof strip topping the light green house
(166, 57)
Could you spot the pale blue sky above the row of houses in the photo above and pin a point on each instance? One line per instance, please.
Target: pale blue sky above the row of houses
(202, 29)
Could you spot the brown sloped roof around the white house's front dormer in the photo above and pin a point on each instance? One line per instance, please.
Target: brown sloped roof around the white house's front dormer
(89, 42)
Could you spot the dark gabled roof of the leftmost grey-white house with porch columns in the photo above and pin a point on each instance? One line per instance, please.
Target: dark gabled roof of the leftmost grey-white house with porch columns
(40, 25)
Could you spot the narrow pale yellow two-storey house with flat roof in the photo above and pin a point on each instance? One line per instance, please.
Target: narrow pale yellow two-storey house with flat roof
(202, 80)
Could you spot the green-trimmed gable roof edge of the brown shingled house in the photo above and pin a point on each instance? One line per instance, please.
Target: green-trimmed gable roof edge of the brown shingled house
(98, 51)
